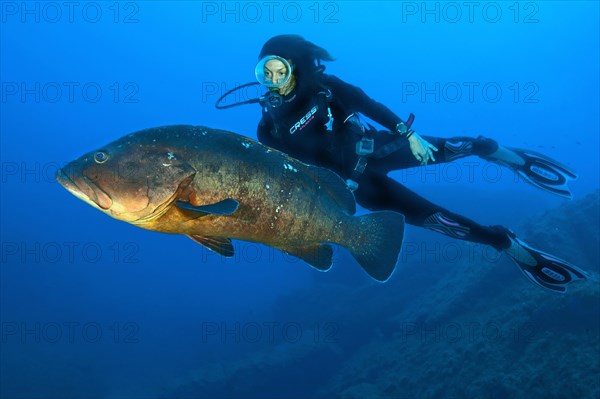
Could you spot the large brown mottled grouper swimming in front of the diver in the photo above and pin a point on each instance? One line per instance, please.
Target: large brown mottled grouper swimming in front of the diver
(213, 185)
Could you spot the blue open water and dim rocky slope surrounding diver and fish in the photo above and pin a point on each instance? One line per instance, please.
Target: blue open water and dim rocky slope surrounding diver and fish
(96, 308)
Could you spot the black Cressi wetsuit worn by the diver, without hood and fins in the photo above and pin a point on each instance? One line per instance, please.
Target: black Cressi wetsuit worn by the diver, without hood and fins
(297, 127)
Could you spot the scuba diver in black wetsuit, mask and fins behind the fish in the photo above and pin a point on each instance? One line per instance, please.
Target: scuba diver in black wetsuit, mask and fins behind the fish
(315, 117)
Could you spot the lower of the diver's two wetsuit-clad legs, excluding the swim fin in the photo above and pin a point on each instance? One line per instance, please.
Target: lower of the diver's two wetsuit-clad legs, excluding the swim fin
(380, 192)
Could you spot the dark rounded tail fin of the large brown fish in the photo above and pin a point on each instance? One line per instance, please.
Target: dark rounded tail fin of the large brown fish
(377, 243)
